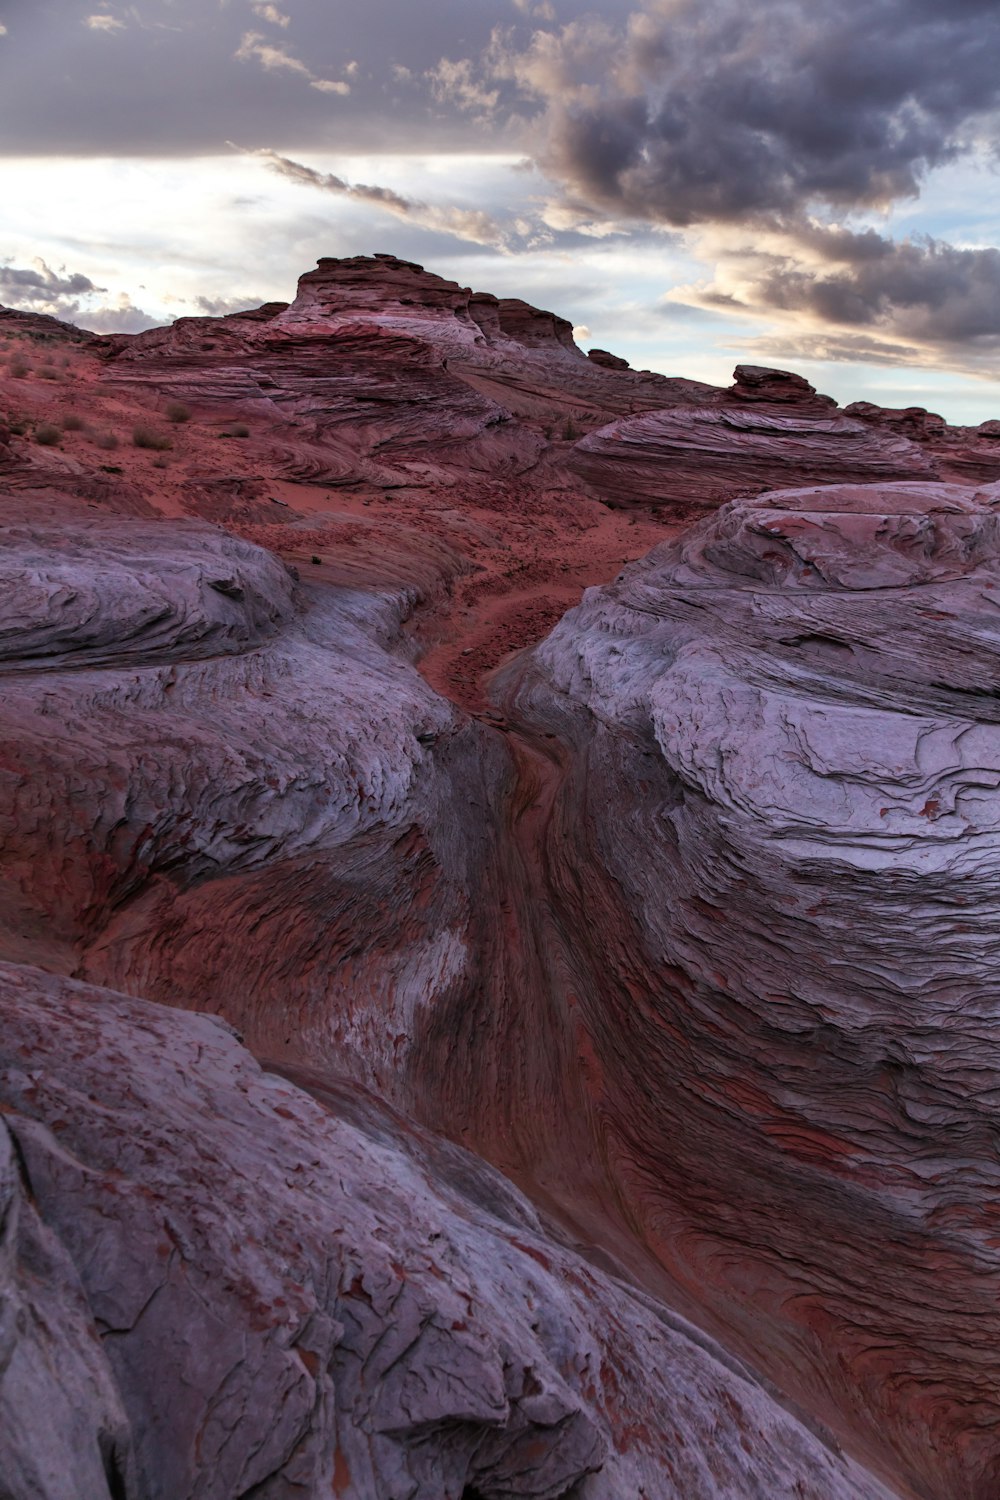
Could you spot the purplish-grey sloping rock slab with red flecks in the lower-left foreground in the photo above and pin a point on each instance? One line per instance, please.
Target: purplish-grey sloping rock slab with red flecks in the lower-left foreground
(302, 1297)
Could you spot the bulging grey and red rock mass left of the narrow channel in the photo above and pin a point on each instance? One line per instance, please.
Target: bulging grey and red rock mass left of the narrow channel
(223, 788)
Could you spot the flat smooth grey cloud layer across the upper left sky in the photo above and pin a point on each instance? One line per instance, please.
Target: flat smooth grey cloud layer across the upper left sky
(184, 89)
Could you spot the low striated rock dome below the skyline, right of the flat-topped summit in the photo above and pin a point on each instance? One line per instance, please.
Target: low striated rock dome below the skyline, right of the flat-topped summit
(687, 460)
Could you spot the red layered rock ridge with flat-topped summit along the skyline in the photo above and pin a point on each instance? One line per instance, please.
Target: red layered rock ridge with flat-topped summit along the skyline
(383, 373)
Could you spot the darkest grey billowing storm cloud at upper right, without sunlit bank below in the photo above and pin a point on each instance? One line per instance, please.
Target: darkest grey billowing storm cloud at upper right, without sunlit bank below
(717, 110)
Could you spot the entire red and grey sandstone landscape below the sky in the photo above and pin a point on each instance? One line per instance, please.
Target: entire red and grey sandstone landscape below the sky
(500, 919)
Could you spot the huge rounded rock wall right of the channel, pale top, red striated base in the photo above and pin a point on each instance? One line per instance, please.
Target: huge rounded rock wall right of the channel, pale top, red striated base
(782, 820)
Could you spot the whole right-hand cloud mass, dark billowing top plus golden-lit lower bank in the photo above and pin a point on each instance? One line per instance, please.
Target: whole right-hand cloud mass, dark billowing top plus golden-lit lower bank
(755, 130)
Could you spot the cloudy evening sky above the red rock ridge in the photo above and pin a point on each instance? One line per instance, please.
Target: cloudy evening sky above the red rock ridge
(695, 184)
